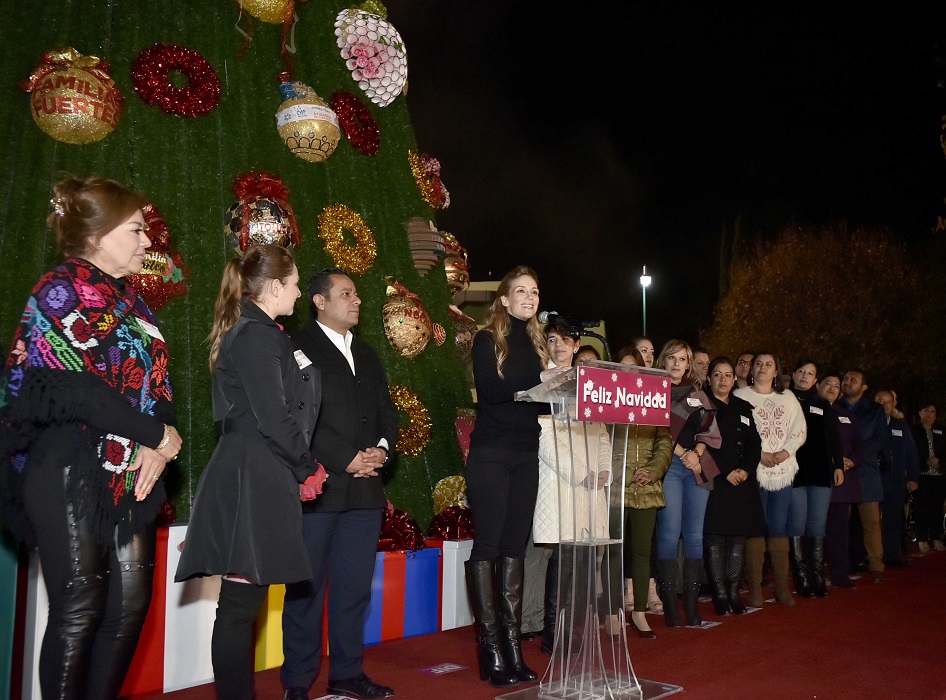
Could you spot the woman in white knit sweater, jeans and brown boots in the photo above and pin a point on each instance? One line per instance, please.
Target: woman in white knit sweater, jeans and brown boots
(781, 424)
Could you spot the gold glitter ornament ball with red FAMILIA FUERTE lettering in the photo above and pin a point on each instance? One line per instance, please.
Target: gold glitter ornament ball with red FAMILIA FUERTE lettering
(75, 106)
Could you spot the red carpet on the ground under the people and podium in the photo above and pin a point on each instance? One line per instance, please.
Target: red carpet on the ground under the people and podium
(884, 640)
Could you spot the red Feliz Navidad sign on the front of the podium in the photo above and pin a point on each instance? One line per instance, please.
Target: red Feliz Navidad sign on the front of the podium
(609, 396)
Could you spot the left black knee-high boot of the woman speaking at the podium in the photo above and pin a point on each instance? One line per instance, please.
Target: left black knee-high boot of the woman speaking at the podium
(480, 576)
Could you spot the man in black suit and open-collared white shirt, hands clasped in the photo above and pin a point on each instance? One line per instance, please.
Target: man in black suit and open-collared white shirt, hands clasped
(356, 430)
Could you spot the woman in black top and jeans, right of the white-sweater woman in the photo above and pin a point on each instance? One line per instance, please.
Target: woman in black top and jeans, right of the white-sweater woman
(820, 469)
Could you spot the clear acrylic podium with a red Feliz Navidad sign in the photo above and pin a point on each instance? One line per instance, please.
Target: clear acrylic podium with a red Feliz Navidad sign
(590, 655)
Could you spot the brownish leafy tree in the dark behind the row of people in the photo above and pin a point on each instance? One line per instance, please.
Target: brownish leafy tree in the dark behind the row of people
(858, 298)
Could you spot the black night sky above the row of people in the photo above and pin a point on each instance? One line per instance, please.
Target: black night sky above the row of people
(591, 141)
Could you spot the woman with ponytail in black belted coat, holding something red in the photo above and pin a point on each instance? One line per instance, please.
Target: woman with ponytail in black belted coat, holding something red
(246, 522)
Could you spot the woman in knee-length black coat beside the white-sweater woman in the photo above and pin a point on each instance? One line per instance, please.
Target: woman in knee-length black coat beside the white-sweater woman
(734, 509)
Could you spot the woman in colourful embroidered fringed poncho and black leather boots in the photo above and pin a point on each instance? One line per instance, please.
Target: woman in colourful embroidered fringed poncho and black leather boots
(85, 440)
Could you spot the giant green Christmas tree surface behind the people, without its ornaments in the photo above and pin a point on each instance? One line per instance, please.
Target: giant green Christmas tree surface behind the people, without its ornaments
(187, 166)
